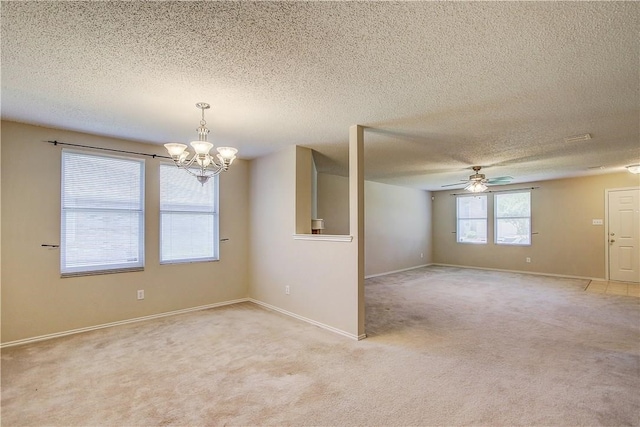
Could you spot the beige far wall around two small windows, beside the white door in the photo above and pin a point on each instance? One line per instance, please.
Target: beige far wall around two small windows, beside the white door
(562, 212)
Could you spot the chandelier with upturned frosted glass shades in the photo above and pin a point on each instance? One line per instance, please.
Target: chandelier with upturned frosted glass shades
(202, 165)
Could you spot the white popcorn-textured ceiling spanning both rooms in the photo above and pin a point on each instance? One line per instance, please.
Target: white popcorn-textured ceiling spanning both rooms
(440, 86)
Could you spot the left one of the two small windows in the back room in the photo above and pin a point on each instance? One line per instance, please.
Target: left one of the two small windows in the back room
(472, 219)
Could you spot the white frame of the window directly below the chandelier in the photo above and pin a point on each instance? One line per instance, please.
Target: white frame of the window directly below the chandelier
(215, 214)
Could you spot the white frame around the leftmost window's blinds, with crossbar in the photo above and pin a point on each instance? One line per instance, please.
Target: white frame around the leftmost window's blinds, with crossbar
(104, 267)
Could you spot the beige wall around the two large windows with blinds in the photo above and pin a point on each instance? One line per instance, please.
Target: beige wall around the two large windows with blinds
(36, 301)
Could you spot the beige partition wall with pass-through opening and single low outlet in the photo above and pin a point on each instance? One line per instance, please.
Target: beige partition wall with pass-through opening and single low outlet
(321, 275)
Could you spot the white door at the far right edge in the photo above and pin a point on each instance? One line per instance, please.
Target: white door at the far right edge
(624, 235)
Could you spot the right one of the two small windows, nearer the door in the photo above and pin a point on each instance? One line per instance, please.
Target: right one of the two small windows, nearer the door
(513, 218)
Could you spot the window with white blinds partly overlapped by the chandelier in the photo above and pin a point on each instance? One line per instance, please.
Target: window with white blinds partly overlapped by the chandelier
(188, 217)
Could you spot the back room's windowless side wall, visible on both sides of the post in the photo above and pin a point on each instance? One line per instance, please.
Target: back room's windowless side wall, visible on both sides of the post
(397, 222)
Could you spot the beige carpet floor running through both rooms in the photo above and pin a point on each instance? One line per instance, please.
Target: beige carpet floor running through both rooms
(446, 346)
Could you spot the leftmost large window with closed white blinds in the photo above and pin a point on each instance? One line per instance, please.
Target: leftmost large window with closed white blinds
(102, 215)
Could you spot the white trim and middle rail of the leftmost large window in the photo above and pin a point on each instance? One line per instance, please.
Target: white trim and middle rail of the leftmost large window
(100, 268)
